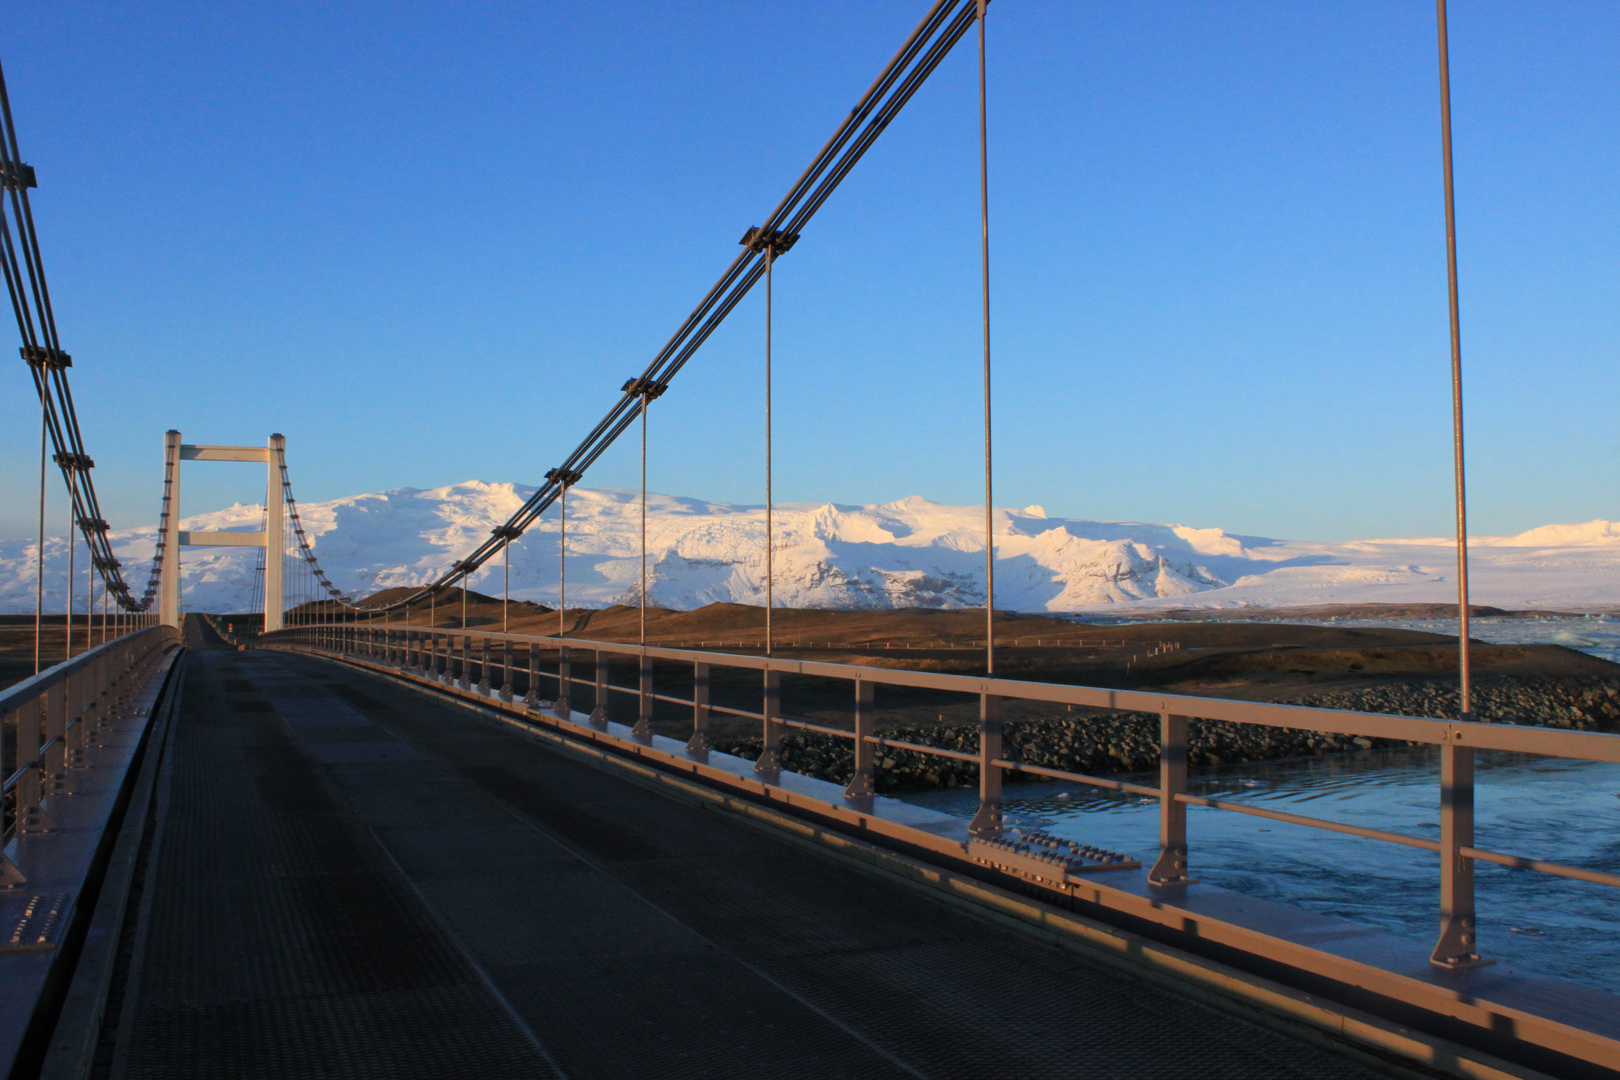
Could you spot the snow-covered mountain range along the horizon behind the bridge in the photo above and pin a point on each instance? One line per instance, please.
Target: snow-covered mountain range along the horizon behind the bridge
(898, 555)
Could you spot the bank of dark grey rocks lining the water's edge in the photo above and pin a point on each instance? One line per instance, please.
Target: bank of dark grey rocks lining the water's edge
(1128, 742)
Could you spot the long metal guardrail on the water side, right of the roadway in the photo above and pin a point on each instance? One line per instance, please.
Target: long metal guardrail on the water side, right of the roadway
(448, 657)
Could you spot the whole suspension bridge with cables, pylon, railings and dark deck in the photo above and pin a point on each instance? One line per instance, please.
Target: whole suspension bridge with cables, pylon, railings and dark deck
(372, 840)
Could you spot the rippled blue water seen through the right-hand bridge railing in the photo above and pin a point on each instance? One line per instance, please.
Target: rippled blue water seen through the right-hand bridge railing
(1566, 812)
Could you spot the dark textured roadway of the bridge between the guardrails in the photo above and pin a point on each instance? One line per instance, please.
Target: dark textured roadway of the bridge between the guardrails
(352, 880)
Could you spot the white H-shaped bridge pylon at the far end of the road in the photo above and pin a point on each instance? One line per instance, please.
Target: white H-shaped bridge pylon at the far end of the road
(275, 457)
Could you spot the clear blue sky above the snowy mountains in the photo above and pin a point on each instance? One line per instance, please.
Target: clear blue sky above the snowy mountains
(430, 242)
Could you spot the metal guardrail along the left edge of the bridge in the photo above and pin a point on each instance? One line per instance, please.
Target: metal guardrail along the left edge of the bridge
(54, 713)
